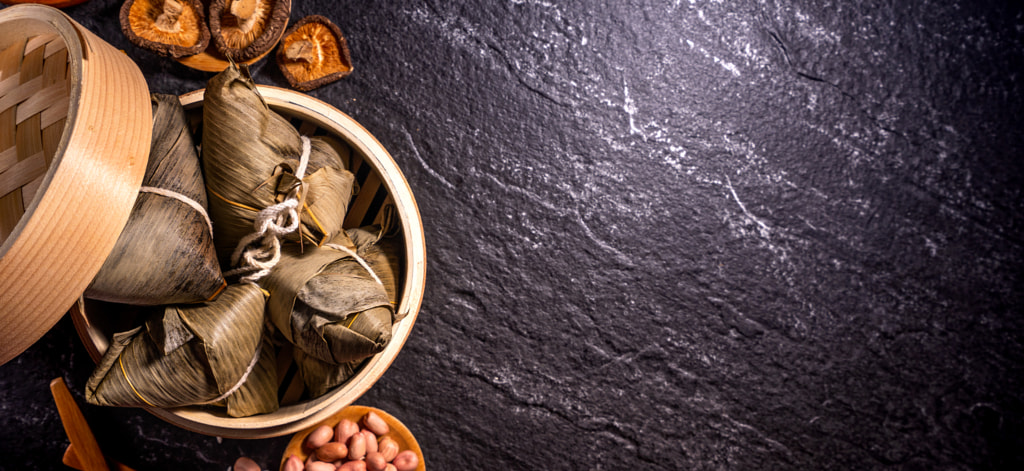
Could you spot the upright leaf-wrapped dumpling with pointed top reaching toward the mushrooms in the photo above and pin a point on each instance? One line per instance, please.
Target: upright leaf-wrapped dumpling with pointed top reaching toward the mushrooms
(253, 159)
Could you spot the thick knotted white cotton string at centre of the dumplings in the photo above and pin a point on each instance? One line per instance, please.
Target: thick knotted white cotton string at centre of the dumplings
(271, 225)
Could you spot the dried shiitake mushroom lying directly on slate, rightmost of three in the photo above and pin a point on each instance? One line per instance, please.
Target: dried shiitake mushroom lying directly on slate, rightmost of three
(314, 54)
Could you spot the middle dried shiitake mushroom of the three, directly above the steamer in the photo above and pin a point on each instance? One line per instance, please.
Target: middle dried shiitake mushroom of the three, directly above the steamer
(244, 30)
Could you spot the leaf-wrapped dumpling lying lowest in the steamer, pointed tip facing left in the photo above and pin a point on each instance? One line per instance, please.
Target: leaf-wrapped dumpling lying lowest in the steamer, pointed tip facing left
(193, 355)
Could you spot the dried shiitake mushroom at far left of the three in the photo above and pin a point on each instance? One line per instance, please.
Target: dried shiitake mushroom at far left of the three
(169, 28)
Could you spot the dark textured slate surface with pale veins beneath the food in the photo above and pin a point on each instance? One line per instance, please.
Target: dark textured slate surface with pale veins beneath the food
(691, 235)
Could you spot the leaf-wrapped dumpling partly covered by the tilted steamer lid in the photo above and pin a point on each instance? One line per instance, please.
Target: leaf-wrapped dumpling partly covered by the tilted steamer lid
(165, 254)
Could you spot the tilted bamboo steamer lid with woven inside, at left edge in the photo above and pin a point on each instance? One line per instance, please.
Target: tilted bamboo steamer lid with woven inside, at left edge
(75, 130)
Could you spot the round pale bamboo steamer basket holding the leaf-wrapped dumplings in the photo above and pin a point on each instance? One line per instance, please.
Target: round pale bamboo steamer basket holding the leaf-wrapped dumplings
(381, 185)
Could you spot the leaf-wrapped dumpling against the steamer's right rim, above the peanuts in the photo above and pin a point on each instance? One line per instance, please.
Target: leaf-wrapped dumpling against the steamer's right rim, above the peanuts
(328, 305)
